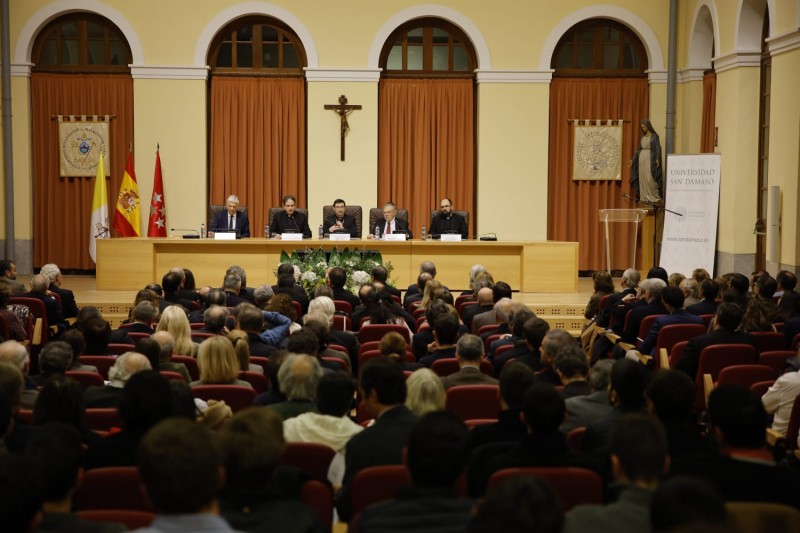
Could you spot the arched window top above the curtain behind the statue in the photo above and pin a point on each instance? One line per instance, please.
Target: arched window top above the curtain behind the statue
(599, 48)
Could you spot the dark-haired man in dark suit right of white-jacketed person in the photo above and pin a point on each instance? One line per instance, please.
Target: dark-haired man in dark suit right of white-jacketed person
(383, 387)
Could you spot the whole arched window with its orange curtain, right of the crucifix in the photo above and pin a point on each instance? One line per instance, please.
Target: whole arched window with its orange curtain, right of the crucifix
(426, 130)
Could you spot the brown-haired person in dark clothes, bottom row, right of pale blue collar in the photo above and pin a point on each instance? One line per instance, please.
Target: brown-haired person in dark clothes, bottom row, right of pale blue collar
(251, 499)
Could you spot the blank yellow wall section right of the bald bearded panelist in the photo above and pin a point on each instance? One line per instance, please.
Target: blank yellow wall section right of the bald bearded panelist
(513, 131)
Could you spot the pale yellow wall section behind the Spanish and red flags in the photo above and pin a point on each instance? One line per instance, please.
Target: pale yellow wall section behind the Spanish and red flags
(166, 112)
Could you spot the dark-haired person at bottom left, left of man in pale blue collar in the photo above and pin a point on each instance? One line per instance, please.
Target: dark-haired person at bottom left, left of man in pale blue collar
(57, 448)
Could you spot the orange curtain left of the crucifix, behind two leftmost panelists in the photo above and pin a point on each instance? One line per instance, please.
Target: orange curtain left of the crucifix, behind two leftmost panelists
(258, 143)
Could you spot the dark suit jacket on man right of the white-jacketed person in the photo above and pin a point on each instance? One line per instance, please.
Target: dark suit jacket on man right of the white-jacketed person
(380, 444)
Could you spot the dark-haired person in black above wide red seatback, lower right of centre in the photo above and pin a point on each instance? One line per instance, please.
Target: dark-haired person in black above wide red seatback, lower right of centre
(544, 445)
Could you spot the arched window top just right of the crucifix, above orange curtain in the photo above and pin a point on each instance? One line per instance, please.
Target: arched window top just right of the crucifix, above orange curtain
(428, 48)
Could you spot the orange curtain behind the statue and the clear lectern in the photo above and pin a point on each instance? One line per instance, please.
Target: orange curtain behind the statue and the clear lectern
(572, 206)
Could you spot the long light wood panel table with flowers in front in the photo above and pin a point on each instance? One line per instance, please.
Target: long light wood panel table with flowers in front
(528, 266)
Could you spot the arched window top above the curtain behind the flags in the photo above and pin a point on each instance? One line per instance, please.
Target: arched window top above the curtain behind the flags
(81, 42)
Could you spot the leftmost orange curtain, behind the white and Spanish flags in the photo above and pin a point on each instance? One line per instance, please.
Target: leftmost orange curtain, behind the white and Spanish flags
(62, 206)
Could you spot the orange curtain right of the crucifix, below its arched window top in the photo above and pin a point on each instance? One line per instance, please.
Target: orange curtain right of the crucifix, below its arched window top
(425, 146)
